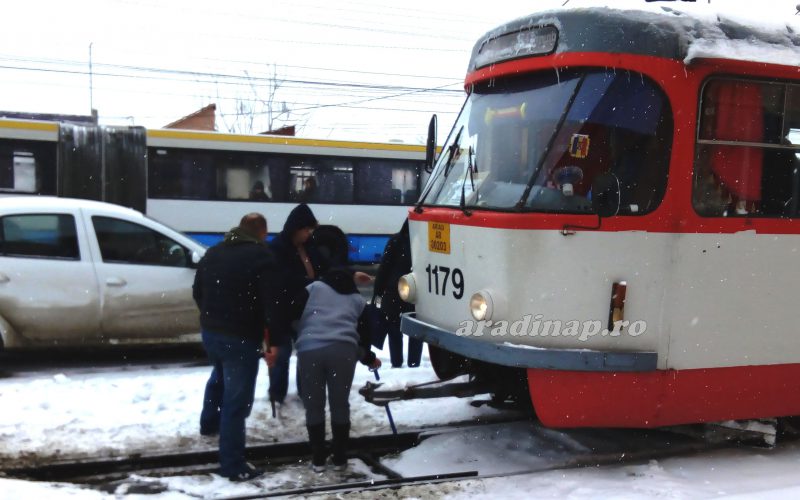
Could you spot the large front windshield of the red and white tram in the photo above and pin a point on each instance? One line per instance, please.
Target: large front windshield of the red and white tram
(536, 143)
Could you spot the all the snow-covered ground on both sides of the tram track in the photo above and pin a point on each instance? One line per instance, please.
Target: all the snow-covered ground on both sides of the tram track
(92, 413)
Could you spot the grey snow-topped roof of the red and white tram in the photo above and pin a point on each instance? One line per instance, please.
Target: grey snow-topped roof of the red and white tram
(681, 32)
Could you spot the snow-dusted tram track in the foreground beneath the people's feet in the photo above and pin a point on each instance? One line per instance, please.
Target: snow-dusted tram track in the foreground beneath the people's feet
(548, 449)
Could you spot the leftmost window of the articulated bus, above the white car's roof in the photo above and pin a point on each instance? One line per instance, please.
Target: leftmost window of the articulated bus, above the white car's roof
(27, 166)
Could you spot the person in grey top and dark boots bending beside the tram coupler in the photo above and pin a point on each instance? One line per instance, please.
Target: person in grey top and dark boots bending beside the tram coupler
(332, 335)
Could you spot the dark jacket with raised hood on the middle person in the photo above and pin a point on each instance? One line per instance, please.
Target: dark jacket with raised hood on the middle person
(290, 267)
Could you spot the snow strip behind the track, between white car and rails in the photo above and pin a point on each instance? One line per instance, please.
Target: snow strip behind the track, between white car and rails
(87, 413)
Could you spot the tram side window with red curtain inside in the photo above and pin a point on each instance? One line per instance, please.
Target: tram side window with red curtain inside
(748, 145)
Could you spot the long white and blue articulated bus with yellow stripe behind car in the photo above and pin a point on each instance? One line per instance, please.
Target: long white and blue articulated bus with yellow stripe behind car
(201, 183)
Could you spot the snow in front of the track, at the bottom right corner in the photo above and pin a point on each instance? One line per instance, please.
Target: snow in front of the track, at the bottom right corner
(729, 474)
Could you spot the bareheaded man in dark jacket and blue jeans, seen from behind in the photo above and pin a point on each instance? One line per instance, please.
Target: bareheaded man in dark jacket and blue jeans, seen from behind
(235, 290)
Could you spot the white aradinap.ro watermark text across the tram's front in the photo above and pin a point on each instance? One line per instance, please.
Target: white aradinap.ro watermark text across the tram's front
(534, 326)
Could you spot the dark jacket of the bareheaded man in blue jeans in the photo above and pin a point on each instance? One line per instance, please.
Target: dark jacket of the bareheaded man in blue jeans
(234, 287)
